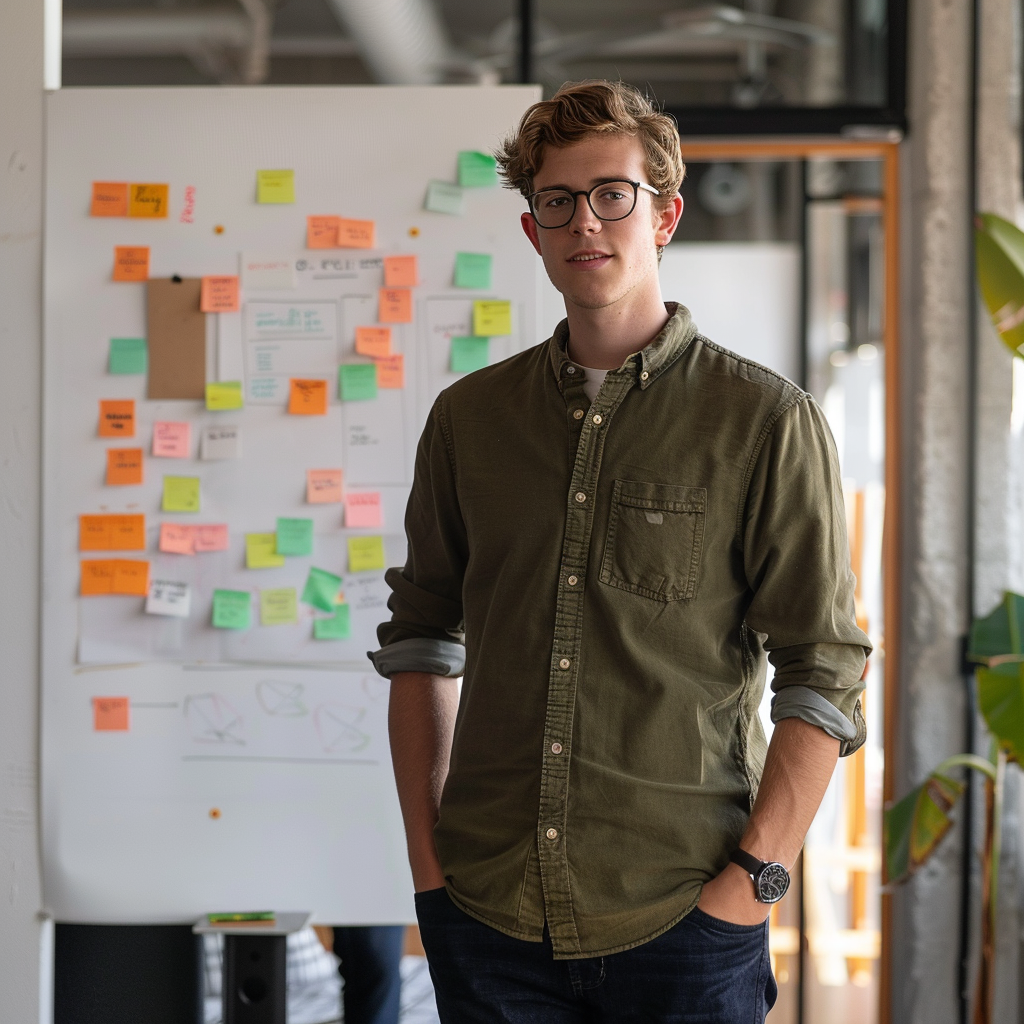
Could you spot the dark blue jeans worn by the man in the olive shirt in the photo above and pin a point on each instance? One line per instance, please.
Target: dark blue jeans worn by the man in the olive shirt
(703, 971)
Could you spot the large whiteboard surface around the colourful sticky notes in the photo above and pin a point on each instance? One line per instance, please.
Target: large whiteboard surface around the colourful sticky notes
(255, 772)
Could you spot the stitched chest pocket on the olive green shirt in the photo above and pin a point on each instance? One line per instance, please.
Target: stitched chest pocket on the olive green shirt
(656, 536)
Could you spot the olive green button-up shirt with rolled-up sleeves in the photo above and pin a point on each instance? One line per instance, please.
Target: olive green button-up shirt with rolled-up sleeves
(618, 573)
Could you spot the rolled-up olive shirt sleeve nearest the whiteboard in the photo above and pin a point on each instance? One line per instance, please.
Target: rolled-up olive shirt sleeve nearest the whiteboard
(425, 633)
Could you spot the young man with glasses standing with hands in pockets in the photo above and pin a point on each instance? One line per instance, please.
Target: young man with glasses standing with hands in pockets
(608, 533)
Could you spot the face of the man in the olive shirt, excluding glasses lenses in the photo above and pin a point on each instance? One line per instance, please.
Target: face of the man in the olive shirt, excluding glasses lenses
(596, 264)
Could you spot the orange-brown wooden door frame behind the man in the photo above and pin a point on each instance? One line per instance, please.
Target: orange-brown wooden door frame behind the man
(706, 150)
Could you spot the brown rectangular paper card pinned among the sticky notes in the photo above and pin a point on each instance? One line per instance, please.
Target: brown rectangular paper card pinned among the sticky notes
(177, 337)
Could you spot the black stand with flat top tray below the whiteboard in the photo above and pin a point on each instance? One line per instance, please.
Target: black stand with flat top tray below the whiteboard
(254, 977)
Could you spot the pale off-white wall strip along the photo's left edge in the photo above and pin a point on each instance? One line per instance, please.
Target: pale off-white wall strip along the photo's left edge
(21, 287)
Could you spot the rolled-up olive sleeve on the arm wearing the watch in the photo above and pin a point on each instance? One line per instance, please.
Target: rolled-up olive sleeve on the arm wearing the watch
(797, 560)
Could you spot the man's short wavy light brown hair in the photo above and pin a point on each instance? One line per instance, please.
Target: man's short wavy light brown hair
(580, 110)
